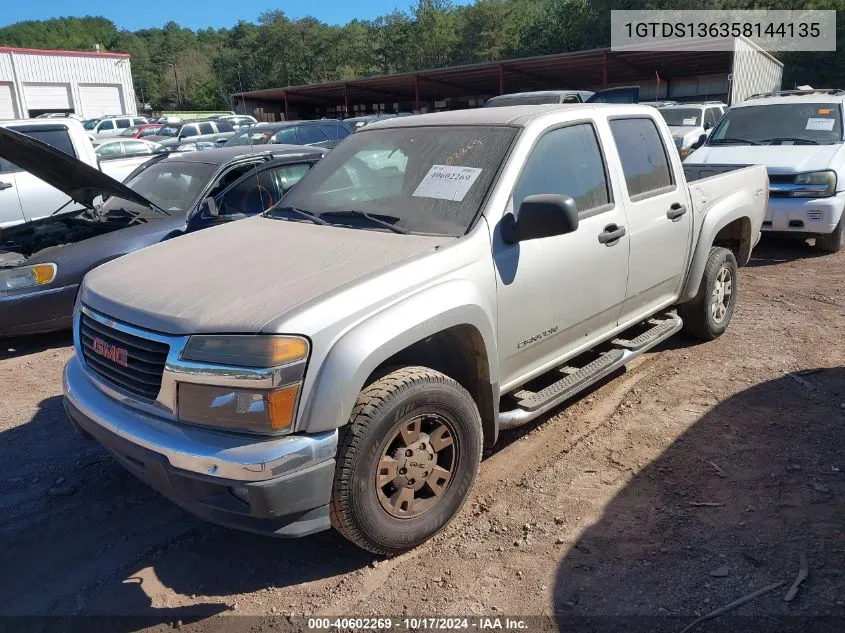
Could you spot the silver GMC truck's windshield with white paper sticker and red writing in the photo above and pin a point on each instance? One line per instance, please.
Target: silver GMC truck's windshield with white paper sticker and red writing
(428, 180)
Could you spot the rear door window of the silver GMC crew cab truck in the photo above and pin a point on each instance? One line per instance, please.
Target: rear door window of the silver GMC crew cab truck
(645, 162)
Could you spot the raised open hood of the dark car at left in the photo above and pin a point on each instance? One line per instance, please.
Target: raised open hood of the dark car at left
(69, 175)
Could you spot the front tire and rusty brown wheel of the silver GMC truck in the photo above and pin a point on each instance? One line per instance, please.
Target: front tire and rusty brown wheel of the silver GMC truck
(407, 460)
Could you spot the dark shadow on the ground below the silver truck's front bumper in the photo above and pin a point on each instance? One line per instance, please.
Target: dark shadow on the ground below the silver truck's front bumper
(89, 538)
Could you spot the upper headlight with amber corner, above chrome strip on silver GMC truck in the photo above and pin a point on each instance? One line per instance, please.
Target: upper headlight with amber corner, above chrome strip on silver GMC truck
(246, 350)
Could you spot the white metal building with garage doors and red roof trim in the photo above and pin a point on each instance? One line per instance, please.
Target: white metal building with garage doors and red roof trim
(89, 84)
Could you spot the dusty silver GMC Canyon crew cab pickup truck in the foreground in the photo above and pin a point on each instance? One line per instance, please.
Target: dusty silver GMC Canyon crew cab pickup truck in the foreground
(342, 359)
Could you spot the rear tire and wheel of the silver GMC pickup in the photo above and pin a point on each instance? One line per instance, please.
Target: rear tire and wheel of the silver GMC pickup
(709, 313)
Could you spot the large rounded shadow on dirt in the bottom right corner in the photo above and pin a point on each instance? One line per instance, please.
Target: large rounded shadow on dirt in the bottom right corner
(728, 508)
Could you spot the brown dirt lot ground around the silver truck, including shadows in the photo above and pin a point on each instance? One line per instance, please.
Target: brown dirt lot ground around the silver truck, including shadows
(700, 475)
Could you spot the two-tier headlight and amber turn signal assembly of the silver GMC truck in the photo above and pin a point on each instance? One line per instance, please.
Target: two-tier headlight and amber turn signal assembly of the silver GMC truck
(254, 410)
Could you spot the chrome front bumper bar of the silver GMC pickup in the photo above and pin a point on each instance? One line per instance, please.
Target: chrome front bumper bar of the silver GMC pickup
(234, 457)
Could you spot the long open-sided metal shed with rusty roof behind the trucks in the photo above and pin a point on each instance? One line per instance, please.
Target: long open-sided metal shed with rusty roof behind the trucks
(677, 72)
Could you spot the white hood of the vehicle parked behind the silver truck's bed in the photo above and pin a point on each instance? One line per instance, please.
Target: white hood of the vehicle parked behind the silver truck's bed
(784, 159)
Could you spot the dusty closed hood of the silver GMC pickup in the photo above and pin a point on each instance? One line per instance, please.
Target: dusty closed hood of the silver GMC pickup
(238, 277)
